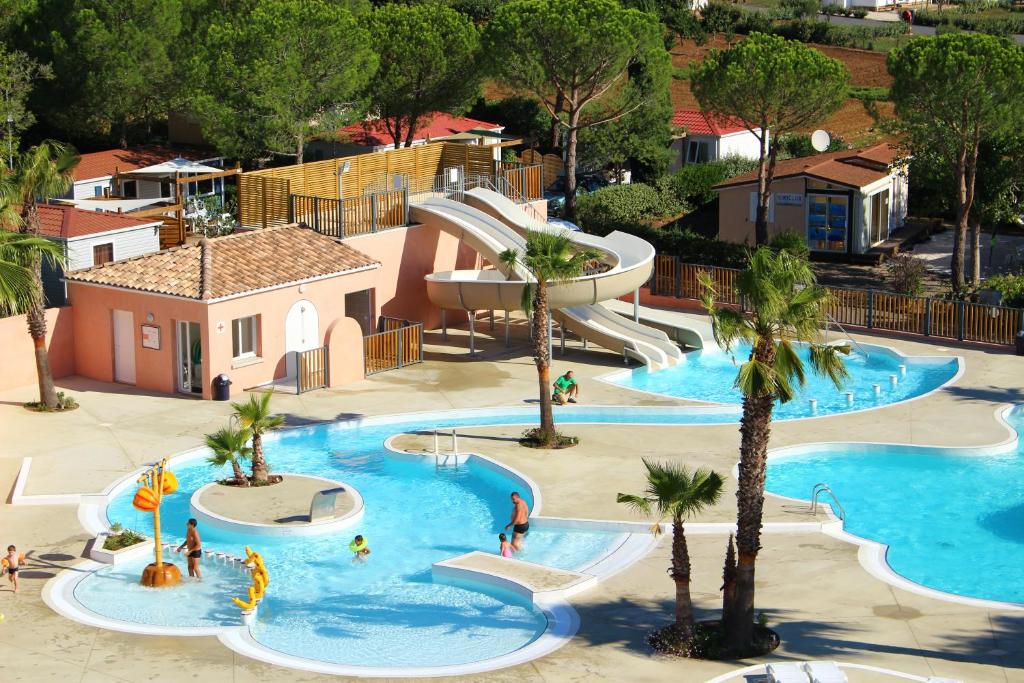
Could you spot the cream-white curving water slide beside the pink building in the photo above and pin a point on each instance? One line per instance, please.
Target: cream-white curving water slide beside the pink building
(491, 224)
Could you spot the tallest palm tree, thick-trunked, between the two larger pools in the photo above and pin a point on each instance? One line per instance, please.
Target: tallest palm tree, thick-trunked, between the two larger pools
(784, 306)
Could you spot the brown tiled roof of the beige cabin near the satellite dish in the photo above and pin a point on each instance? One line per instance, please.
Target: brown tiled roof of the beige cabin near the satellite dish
(855, 168)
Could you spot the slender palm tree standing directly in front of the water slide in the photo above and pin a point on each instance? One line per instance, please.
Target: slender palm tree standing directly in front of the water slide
(552, 261)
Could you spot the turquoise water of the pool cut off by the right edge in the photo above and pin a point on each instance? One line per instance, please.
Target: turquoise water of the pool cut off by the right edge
(953, 523)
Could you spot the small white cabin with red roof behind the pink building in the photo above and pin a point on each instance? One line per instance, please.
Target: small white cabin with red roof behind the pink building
(92, 238)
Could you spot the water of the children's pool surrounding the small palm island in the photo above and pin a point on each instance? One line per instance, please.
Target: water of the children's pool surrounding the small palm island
(387, 612)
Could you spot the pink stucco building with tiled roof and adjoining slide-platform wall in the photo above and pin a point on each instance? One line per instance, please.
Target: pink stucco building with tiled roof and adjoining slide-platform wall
(242, 306)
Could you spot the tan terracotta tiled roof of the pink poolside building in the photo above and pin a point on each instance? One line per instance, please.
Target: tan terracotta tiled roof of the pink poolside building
(230, 266)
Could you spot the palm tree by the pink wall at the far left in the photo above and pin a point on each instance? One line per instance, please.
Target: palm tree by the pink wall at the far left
(46, 170)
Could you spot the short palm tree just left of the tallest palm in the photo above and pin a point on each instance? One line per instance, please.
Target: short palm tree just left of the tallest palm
(675, 492)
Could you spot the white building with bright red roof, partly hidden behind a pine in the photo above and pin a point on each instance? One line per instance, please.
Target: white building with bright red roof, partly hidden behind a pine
(704, 138)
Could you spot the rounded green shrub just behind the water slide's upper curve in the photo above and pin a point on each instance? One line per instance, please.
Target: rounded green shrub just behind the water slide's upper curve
(615, 207)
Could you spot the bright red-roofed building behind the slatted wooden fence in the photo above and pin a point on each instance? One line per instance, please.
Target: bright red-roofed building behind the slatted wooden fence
(372, 136)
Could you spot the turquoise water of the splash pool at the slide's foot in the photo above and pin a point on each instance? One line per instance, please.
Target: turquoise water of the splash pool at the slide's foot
(710, 376)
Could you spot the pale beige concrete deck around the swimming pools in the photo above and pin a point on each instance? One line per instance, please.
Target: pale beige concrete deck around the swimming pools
(810, 586)
